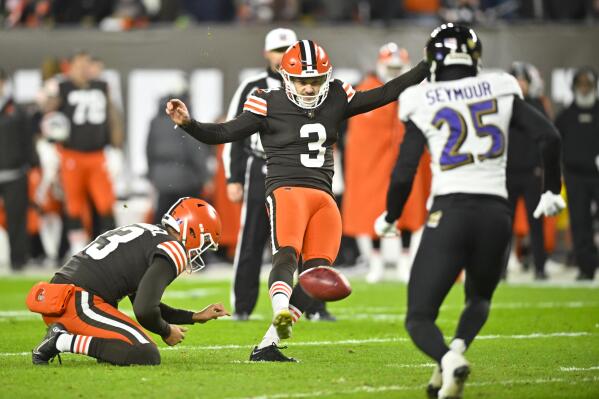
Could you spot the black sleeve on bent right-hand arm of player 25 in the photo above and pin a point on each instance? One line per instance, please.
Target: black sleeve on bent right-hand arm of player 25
(541, 130)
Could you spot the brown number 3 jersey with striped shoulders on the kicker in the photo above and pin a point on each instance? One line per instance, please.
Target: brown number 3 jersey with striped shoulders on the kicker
(299, 143)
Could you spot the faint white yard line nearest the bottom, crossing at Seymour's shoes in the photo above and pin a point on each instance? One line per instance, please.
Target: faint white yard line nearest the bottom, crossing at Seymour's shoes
(392, 388)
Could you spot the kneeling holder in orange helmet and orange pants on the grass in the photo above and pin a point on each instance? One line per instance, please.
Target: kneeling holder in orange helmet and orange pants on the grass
(139, 260)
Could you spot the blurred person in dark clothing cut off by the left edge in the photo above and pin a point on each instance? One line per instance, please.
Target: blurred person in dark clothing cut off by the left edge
(16, 153)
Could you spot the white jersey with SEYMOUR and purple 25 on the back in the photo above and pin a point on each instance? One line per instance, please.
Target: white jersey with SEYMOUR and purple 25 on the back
(466, 123)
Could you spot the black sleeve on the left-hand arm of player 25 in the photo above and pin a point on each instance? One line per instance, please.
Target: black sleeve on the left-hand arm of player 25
(404, 171)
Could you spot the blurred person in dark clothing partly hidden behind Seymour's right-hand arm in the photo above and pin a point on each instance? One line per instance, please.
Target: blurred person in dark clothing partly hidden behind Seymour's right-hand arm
(524, 166)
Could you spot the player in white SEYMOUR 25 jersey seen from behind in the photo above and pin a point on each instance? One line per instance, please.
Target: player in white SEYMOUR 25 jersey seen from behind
(463, 117)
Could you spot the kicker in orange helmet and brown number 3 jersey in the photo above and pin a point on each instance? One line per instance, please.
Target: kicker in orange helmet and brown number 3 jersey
(298, 127)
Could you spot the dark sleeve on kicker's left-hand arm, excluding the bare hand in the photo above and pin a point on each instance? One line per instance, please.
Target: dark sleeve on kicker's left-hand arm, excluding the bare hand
(218, 133)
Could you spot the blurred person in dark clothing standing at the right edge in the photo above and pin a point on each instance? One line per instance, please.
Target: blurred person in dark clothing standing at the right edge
(579, 127)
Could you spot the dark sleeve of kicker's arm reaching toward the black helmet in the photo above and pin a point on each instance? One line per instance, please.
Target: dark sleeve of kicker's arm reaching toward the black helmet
(364, 101)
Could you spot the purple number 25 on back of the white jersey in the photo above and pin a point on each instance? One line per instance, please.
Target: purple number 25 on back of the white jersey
(451, 157)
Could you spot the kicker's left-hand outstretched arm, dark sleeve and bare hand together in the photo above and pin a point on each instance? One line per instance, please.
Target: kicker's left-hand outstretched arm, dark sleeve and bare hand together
(213, 133)
